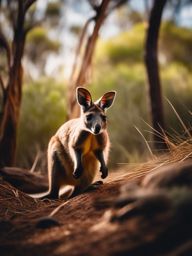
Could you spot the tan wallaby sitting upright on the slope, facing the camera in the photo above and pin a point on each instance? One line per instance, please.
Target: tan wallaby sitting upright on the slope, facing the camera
(79, 145)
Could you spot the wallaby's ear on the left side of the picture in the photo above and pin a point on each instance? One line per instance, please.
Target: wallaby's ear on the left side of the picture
(83, 97)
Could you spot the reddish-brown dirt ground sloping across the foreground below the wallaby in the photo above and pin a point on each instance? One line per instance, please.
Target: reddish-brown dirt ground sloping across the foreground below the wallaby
(98, 222)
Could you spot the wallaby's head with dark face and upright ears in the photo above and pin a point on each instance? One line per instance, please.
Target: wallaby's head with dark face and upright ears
(94, 113)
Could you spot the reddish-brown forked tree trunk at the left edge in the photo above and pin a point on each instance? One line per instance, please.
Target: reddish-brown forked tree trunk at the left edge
(12, 93)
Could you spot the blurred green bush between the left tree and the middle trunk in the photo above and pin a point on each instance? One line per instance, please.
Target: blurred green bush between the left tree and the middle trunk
(43, 111)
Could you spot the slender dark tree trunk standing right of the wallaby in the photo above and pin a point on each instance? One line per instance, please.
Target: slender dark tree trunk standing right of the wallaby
(151, 60)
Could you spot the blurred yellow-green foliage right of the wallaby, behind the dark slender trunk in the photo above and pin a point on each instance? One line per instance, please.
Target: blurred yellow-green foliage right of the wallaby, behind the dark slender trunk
(119, 66)
